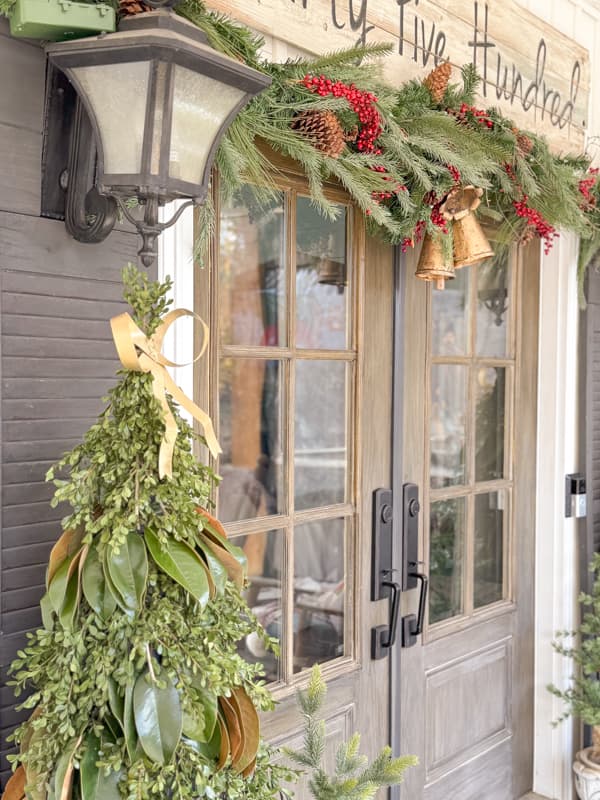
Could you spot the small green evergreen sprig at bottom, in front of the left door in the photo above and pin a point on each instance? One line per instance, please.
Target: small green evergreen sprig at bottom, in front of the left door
(353, 777)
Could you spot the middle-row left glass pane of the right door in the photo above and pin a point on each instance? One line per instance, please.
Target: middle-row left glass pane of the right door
(447, 425)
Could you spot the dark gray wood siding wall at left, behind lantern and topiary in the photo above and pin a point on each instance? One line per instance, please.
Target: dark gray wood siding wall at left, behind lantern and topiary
(56, 354)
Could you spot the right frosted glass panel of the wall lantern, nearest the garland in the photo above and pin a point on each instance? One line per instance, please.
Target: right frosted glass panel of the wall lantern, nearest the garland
(201, 105)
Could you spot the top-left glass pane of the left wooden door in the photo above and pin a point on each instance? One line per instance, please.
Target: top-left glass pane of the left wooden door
(252, 272)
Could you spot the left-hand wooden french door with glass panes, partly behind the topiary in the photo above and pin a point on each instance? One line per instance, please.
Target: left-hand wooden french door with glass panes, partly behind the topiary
(300, 311)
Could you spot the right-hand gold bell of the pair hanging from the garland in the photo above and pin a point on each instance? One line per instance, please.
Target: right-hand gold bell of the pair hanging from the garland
(470, 242)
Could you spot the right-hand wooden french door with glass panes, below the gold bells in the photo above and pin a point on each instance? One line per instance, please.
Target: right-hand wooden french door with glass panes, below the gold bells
(464, 691)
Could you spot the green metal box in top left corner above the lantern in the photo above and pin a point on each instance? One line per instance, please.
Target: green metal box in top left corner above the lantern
(59, 20)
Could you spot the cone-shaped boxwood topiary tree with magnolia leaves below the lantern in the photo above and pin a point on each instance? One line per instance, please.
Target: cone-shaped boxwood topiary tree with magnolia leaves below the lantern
(136, 687)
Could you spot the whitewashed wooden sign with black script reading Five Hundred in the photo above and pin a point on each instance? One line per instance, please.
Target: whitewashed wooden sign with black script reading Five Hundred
(535, 74)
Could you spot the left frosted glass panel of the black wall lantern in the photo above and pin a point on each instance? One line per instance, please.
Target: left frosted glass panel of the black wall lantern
(117, 94)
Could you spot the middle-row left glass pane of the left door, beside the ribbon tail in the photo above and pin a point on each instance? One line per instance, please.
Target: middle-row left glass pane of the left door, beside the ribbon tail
(250, 428)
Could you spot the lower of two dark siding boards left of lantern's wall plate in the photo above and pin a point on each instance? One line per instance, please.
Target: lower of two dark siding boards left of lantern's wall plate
(20, 156)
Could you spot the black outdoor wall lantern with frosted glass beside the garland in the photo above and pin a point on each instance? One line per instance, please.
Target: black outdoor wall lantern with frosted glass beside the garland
(156, 102)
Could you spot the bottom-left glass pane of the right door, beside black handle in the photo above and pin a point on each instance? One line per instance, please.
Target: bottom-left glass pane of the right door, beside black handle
(446, 549)
